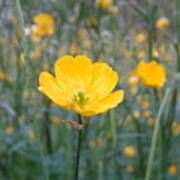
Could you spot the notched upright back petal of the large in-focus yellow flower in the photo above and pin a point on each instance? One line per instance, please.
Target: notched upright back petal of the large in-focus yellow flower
(76, 72)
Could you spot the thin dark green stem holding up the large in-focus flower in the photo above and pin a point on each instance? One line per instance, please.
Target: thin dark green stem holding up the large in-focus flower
(78, 154)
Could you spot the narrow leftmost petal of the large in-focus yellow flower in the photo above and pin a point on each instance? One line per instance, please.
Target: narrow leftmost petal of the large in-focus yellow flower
(49, 87)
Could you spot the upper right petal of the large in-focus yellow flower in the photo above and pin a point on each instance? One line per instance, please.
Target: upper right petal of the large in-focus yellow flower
(103, 81)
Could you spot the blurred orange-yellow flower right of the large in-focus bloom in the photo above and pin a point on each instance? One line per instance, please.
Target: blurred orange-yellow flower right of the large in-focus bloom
(151, 73)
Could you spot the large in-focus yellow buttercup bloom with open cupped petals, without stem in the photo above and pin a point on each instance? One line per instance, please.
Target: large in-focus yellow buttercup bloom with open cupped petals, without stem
(82, 86)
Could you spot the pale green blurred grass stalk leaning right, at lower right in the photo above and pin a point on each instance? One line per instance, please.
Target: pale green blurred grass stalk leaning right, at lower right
(155, 135)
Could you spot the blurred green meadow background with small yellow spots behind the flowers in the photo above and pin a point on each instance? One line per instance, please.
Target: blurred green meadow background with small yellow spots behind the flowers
(35, 144)
